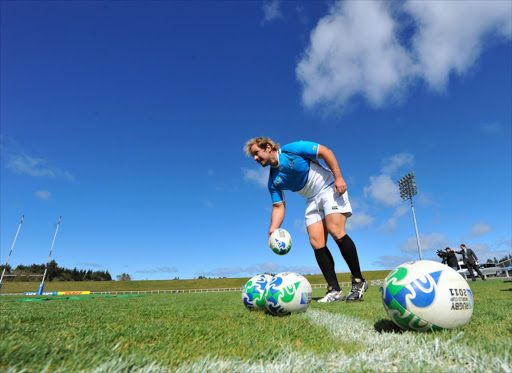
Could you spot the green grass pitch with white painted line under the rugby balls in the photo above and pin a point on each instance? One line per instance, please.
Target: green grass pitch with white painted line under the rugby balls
(214, 332)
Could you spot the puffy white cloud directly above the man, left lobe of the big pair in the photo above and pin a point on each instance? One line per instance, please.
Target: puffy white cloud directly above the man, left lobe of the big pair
(353, 51)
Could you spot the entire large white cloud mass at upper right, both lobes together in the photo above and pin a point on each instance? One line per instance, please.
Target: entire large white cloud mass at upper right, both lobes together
(361, 48)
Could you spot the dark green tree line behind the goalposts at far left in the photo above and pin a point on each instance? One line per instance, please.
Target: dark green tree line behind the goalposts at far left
(34, 272)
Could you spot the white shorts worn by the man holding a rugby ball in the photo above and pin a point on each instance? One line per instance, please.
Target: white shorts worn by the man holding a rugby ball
(325, 203)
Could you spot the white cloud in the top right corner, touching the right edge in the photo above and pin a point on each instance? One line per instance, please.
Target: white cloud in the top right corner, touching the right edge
(451, 34)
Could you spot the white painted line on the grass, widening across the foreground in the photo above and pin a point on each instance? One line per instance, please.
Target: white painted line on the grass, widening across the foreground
(382, 352)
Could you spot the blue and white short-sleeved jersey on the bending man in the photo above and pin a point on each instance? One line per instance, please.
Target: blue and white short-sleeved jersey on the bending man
(298, 171)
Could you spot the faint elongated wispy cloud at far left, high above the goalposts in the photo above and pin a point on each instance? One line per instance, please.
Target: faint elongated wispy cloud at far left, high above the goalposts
(36, 167)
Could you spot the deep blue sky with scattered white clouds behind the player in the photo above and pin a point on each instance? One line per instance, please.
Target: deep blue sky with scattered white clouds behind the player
(128, 119)
